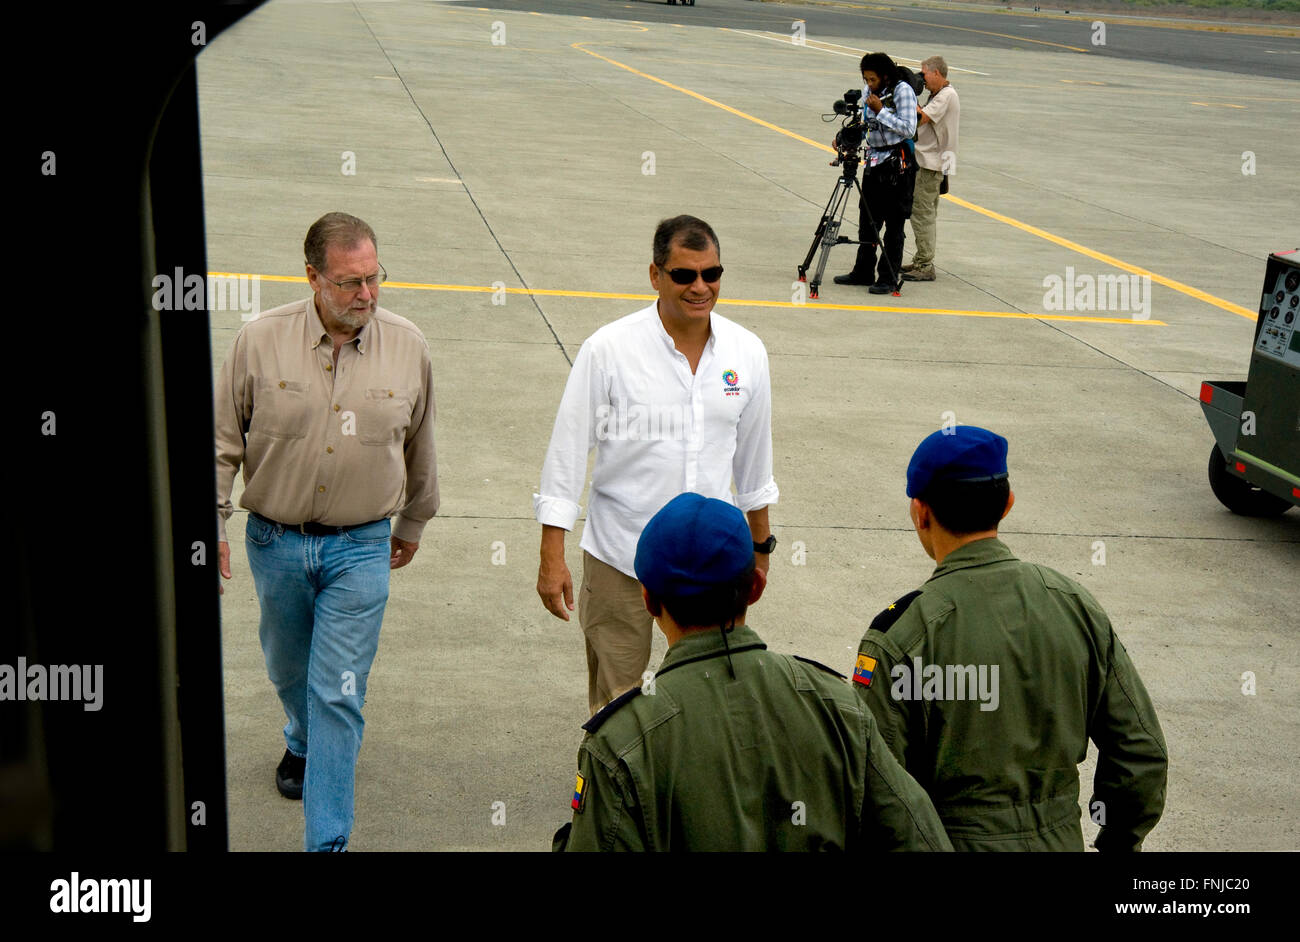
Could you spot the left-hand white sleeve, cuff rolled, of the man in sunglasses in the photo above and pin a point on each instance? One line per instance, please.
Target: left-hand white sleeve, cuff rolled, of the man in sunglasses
(573, 440)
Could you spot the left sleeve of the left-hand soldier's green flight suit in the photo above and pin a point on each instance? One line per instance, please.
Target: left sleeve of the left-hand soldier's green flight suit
(610, 818)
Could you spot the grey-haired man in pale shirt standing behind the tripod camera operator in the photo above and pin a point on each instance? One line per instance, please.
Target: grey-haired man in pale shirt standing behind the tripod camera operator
(937, 158)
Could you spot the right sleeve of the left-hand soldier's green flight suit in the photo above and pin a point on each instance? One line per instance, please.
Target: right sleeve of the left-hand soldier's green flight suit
(898, 815)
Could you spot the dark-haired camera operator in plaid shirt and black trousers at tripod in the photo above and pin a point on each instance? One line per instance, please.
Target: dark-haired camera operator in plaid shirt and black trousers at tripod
(890, 114)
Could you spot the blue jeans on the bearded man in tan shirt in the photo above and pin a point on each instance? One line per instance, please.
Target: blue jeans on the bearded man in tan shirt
(323, 604)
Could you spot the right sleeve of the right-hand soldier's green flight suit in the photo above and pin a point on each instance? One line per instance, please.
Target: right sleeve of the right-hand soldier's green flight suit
(1132, 759)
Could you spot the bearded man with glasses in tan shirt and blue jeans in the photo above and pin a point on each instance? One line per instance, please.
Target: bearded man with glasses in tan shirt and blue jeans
(328, 405)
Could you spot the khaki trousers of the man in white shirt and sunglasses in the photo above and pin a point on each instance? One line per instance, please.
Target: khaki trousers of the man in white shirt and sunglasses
(618, 631)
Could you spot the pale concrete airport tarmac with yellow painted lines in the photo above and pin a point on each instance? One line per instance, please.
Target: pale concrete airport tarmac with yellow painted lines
(535, 153)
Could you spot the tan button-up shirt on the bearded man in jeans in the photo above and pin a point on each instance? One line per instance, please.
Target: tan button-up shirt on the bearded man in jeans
(332, 445)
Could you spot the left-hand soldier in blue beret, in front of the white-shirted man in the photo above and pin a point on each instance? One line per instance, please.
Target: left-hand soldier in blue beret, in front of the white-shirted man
(733, 748)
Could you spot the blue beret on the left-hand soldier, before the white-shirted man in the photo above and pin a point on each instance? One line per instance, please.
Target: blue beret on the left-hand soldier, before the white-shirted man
(692, 545)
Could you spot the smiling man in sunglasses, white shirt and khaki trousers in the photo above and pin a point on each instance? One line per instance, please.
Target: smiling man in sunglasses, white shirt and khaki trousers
(674, 400)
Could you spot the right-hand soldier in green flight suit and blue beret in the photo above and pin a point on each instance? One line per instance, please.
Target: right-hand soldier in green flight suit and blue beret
(990, 680)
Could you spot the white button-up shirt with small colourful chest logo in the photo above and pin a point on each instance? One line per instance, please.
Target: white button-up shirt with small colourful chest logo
(658, 431)
